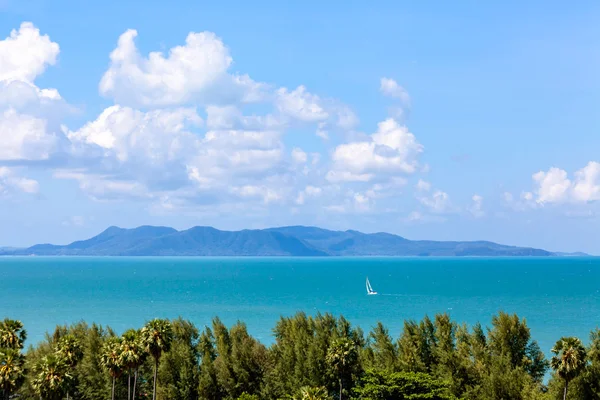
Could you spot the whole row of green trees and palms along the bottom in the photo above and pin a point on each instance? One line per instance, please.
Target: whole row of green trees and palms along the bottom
(312, 357)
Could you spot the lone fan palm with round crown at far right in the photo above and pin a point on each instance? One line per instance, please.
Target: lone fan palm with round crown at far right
(569, 359)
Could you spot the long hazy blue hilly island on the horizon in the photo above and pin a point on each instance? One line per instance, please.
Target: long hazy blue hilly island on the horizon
(283, 241)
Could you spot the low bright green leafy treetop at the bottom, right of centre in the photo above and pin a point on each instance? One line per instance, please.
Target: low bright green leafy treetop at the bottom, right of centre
(381, 385)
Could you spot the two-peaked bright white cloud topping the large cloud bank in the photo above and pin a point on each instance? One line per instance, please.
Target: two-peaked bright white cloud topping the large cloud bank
(196, 71)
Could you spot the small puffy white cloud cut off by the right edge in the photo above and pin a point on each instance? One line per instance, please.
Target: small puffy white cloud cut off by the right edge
(555, 187)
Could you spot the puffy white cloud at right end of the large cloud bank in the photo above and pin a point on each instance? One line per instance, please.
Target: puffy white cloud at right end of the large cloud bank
(392, 149)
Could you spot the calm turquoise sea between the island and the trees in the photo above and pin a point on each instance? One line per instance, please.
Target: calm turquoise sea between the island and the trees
(557, 296)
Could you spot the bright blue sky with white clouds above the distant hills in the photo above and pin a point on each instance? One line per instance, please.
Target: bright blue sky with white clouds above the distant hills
(431, 120)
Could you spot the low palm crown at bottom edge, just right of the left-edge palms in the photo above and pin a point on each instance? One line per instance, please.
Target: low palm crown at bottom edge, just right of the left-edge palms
(52, 378)
